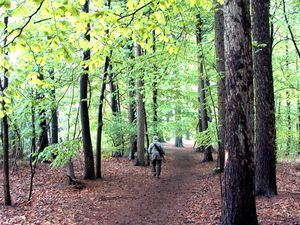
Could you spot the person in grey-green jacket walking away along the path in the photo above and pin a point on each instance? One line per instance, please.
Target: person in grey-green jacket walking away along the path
(157, 151)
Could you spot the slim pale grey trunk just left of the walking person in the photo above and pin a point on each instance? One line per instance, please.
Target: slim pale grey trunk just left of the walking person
(140, 116)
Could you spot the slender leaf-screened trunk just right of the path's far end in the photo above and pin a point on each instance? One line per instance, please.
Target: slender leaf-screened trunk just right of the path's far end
(201, 90)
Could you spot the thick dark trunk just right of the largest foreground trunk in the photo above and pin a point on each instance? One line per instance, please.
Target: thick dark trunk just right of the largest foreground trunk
(265, 169)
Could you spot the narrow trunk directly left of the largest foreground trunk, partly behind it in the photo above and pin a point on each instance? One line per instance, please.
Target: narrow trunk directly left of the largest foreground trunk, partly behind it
(220, 63)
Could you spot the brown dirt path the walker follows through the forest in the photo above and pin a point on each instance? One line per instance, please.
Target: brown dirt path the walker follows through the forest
(164, 200)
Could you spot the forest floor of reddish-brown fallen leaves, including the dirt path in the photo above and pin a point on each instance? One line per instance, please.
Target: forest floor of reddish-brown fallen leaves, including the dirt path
(186, 193)
